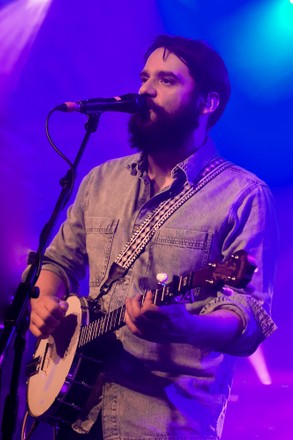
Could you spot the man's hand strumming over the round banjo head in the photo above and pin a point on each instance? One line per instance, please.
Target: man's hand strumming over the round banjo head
(46, 314)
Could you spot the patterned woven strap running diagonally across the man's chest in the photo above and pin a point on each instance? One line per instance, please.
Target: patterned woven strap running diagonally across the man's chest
(155, 219)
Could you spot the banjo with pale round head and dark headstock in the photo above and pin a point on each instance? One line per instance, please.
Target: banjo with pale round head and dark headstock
(65, 366)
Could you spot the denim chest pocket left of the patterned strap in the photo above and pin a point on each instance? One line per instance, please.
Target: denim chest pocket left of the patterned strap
(99, 238)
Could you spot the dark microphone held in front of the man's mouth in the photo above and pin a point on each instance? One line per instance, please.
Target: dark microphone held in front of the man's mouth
(129, 103)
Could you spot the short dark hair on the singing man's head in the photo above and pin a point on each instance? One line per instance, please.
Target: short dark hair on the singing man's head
(205, 65)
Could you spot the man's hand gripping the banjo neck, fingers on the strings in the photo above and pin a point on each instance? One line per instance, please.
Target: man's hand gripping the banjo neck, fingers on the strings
(169, 323)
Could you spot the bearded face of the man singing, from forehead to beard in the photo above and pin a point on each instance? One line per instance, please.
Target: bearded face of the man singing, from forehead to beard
(172, 99)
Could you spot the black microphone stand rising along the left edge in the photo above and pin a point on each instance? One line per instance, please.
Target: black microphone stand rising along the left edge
(16, 320)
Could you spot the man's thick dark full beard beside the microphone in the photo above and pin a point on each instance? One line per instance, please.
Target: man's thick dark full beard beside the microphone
(168, 132)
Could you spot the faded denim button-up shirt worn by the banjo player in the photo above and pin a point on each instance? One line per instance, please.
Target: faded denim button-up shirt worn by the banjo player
(169, 391)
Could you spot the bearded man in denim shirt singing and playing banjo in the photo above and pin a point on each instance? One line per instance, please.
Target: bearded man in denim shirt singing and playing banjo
(171, 369)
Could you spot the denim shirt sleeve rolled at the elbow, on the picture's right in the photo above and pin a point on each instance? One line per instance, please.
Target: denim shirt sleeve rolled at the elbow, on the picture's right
(253, 227)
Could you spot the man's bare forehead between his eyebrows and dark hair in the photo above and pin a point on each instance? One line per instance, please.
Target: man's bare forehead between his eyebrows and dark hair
(163, 60)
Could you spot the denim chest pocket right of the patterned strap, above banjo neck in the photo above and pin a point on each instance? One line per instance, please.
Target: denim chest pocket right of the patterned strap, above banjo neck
(175, 251)
